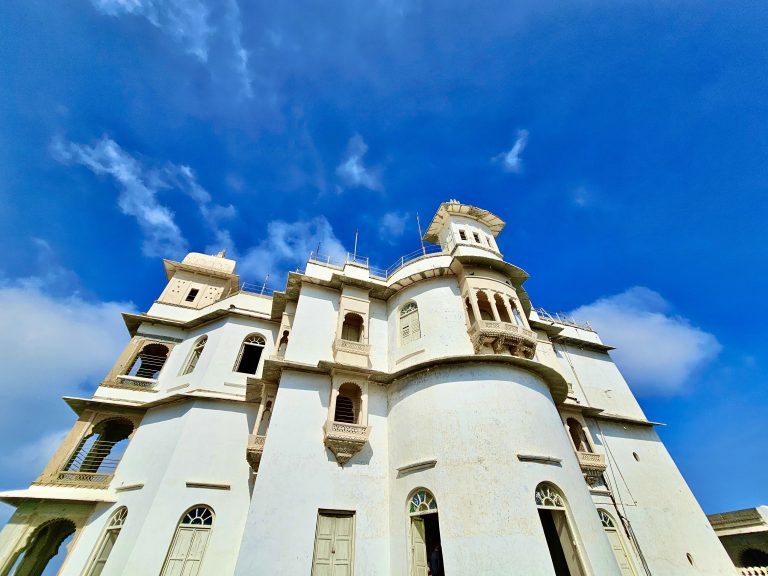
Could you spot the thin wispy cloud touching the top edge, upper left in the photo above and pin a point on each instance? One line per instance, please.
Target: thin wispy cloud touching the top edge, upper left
(194, 25)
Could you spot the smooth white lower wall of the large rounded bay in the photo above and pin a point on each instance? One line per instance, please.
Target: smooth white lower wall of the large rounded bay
(474, 419)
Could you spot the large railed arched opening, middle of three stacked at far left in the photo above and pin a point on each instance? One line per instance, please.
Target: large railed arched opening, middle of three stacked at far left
(101, 451)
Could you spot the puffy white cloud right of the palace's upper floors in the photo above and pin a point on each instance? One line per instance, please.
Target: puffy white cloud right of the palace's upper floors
(656, 350)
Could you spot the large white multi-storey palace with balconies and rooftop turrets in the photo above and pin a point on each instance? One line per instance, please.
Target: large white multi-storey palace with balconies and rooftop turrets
(354, 422)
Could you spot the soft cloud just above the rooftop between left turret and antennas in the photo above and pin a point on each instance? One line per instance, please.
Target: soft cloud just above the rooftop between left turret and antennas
(288, 245)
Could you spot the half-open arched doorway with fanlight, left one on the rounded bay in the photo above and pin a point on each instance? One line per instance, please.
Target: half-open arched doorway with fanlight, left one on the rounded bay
(426, 550)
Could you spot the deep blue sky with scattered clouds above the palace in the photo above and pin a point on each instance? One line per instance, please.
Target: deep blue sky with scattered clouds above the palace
(624, 143)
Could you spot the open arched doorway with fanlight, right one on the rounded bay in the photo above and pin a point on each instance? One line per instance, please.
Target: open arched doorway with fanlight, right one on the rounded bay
(560, 538)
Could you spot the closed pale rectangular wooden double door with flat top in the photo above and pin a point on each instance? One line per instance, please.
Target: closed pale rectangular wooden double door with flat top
(334, 545)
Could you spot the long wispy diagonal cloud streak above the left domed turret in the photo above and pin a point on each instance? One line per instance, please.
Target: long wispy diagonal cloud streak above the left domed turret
(139, 188)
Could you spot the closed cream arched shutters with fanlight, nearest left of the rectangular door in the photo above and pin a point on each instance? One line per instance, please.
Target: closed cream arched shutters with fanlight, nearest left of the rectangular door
(185, 555)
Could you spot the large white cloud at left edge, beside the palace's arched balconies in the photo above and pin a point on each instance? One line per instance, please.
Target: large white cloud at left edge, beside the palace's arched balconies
(49, 347)
